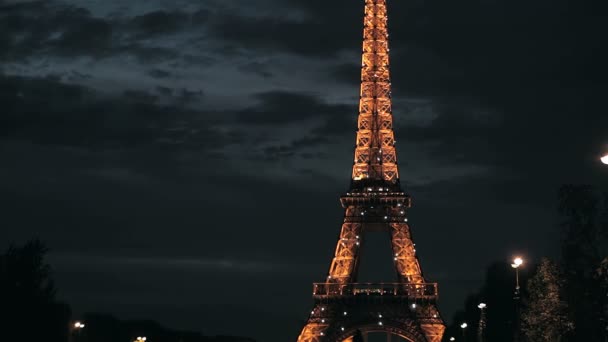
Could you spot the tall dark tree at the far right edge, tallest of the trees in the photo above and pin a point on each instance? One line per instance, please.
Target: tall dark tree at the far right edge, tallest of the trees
(584, 213)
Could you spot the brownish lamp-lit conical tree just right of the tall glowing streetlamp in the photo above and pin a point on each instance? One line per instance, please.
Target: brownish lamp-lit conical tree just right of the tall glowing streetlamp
(545, 316)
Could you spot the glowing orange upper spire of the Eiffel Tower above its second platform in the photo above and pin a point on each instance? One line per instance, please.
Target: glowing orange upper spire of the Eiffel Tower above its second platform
(375, 158)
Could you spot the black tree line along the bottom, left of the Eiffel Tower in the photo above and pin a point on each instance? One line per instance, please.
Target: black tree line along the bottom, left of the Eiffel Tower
(31, 312)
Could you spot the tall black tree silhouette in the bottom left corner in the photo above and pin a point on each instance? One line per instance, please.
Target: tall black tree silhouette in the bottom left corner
(29, 310)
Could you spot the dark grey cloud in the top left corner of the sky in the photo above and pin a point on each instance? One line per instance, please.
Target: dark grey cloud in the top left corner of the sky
(48, 28)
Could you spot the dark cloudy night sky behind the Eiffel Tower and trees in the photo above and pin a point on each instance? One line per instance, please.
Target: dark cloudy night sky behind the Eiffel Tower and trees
(184, 159)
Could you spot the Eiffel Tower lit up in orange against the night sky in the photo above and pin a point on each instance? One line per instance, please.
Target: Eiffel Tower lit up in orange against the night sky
(375, 202)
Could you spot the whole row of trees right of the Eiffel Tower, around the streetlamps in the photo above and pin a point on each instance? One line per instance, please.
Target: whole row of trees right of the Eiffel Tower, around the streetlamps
(561, 300)
